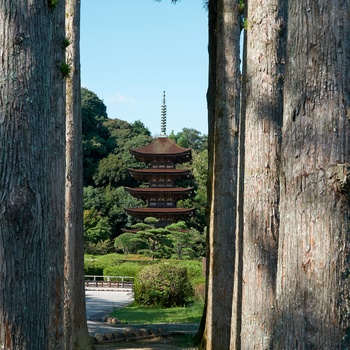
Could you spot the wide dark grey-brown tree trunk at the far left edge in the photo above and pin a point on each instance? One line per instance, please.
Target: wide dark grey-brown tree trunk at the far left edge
(32, 167)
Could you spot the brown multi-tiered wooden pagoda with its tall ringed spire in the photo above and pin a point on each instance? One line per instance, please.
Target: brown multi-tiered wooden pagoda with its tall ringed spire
(161, 195)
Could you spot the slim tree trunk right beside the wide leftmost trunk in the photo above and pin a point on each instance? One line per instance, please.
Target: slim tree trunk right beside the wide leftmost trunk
(76, 332)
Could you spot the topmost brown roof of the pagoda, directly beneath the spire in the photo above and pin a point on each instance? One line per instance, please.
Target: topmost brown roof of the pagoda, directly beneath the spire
(161, 146)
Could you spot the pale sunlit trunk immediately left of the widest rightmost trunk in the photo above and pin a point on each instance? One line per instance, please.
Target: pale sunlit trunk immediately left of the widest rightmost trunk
(263, 103)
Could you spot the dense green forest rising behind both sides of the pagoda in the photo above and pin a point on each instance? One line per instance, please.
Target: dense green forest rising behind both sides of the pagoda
(106, 159)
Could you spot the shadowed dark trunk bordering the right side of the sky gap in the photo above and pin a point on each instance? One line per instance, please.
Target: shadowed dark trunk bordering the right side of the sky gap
(223, 108)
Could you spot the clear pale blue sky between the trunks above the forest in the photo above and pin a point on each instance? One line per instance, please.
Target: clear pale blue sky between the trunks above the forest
(133, 50)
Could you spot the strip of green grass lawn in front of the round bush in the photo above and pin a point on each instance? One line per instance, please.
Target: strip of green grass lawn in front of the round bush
(136, 314)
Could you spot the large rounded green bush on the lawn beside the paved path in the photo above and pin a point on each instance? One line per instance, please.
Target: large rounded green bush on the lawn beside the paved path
(163, 285)
